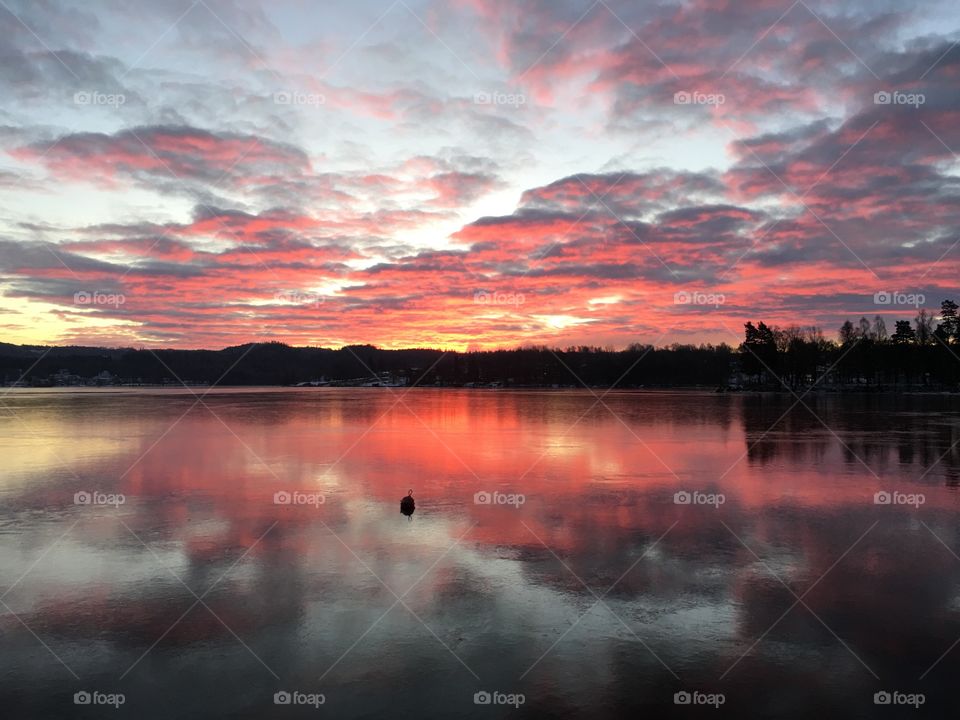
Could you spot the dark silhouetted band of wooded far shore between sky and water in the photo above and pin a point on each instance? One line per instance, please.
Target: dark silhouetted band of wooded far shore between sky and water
(922, 354)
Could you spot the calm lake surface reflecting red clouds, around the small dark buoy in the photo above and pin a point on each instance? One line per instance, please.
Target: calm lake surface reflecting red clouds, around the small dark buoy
(595, 593)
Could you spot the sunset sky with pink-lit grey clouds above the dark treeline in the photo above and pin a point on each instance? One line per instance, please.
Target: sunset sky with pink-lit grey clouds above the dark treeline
(472, 174)
